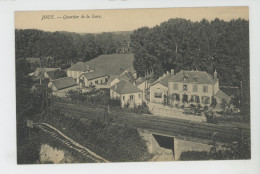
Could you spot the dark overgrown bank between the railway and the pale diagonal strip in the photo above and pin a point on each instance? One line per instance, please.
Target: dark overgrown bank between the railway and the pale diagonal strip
(115, 143)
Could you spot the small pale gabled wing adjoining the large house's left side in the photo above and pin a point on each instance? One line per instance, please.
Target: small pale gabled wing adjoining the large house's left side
(159, 89)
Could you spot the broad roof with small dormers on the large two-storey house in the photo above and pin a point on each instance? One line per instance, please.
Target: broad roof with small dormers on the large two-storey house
(200, 77)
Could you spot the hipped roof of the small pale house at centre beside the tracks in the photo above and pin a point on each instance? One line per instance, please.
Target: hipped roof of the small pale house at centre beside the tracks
(124, 87)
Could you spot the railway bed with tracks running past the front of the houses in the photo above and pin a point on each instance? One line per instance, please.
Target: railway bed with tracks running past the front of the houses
(182, 129)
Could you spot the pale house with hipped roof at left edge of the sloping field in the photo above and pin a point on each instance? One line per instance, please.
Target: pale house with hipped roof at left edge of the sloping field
(77, 69)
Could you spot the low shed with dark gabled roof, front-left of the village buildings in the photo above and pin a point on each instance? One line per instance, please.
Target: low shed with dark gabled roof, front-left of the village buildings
(61, 86)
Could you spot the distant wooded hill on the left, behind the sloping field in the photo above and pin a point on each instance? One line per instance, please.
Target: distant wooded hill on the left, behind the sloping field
(68, 46)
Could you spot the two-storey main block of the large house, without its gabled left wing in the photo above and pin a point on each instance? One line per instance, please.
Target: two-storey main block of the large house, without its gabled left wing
(195, 87)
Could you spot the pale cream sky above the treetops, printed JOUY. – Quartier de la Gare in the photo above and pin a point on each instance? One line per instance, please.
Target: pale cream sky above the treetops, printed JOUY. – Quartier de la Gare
(96, 21)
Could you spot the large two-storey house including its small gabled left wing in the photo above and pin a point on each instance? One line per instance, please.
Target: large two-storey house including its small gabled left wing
(197, 87)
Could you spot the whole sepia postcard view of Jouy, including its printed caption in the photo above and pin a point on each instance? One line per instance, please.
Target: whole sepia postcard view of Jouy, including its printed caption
(132, 85)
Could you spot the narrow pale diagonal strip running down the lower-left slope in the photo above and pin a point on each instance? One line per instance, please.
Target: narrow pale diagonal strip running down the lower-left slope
(69, 142)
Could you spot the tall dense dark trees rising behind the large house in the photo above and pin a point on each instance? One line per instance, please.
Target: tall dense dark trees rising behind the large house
(184, 45)
